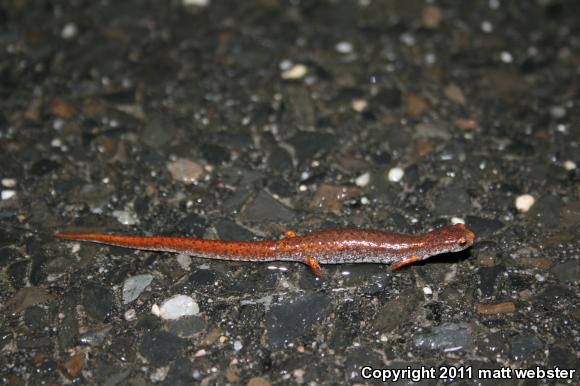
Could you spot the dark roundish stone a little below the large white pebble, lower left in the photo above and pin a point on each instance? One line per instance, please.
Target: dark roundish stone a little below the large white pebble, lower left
(160, 347)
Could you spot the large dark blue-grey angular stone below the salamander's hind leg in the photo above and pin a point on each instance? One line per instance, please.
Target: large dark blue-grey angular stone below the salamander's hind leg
(285, 322)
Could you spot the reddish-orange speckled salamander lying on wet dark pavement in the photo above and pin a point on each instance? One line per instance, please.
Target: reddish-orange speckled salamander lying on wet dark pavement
(332, 246)
